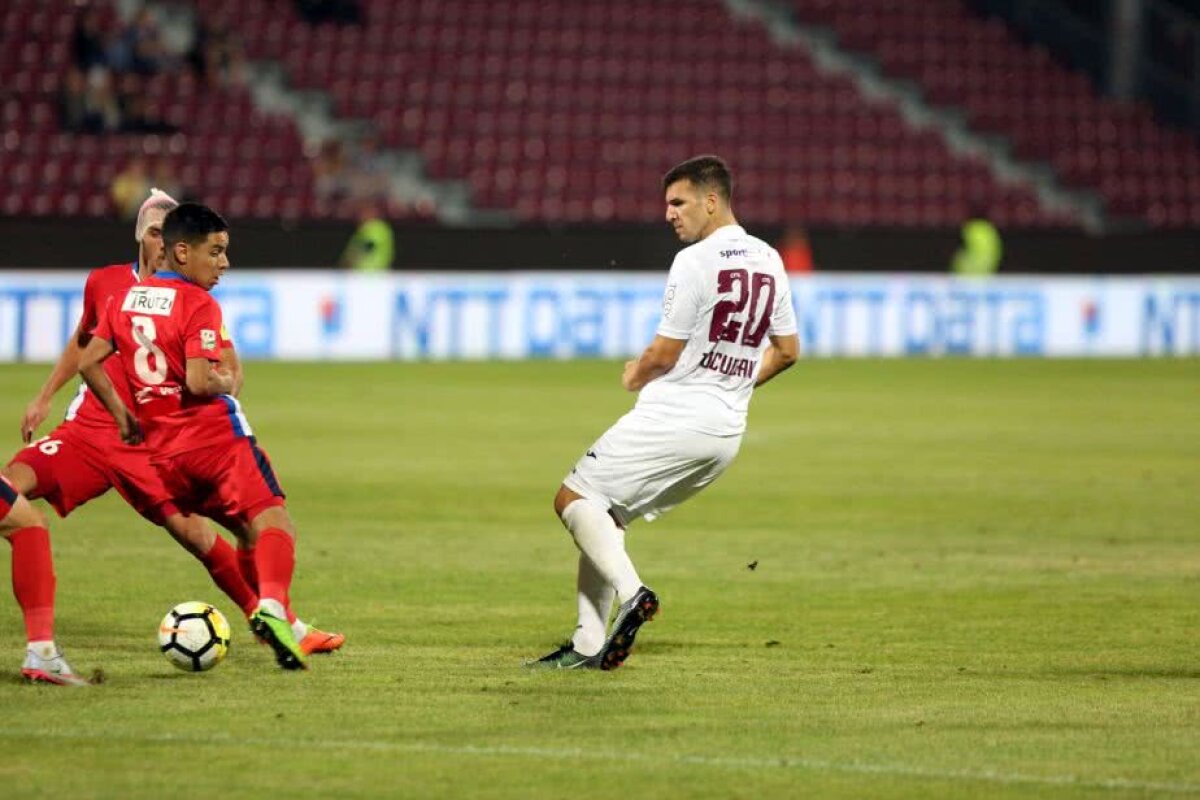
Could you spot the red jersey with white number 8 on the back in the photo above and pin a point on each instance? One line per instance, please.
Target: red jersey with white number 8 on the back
(157, 328)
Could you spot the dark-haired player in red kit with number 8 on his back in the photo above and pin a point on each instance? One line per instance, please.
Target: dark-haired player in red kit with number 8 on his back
(167, 332)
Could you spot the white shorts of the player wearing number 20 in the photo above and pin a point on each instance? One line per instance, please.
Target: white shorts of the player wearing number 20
(644, 468)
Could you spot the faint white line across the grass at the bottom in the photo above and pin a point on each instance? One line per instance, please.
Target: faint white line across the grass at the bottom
(784, 762)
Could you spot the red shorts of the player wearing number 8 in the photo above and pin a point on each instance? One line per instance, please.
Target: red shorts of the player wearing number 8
(230, 484)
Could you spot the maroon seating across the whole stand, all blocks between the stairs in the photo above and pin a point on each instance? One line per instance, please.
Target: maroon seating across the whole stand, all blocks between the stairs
(571, 112)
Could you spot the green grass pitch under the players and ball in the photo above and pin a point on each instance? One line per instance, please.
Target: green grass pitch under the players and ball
(975, 579)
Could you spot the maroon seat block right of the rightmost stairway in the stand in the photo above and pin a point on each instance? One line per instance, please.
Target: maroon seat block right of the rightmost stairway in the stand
(1049, 113)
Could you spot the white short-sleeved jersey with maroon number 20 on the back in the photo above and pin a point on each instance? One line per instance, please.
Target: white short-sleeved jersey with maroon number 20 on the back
(727, 296)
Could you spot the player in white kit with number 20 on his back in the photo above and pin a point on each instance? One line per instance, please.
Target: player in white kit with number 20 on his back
(728, 328)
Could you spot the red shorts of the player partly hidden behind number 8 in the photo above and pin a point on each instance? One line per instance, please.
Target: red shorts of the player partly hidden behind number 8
(75, 466)
